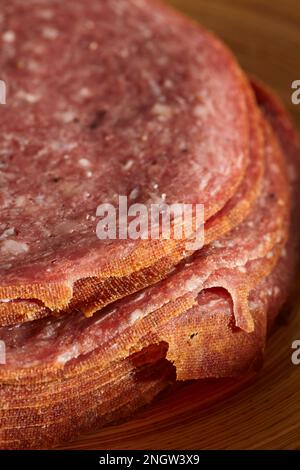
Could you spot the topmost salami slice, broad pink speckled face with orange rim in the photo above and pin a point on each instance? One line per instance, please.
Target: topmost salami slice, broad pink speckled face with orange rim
(108, 98)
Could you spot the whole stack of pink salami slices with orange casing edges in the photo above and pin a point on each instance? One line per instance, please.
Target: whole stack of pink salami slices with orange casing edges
(127, 97)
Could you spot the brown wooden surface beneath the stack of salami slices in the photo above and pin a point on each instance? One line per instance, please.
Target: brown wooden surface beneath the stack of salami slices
(257, 412)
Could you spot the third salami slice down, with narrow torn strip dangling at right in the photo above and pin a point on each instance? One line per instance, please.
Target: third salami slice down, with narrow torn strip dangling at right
(217, 265)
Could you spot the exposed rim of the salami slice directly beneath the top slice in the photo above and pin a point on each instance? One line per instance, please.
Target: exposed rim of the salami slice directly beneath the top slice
(89, 300)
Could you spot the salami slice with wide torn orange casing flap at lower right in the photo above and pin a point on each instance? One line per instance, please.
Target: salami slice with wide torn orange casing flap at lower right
(223, 358)
